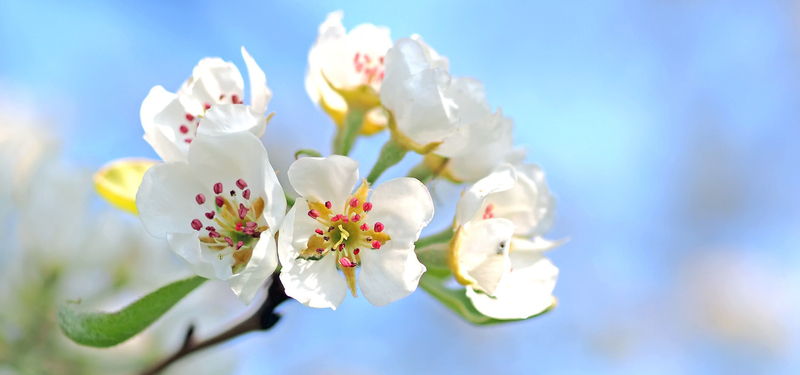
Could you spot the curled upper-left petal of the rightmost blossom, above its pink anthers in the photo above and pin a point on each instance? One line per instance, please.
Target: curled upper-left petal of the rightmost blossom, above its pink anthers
(469, 206)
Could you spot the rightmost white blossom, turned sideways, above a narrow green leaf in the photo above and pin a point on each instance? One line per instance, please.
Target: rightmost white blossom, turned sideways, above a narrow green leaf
(498, 249)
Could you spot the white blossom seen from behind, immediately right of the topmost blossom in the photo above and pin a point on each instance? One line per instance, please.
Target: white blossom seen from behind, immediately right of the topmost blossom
(414, 89)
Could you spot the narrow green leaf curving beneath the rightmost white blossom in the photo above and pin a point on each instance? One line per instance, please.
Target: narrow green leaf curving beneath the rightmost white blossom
(457, 300)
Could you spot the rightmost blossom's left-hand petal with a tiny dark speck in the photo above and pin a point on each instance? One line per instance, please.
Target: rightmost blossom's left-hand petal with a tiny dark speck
(483, 251)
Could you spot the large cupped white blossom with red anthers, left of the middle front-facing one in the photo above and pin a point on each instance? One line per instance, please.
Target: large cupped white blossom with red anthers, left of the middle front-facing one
(220, 210)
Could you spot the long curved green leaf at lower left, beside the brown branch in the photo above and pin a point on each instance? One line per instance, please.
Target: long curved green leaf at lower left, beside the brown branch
(103, 329)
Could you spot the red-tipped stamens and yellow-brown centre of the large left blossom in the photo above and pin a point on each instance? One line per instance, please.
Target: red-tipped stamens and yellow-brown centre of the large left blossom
(232, 226)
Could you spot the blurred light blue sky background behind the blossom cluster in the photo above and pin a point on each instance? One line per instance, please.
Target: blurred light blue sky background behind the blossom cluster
(668, 131)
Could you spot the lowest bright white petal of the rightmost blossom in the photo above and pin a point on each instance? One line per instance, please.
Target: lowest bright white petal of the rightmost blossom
(526, 292)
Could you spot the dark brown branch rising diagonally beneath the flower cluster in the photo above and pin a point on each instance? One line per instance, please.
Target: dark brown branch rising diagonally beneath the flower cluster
(262, 320)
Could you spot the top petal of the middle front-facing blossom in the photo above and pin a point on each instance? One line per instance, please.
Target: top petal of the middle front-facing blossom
(324, 179)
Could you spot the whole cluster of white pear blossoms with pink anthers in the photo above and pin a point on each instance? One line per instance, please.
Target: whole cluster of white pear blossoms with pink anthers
(217, 201)
